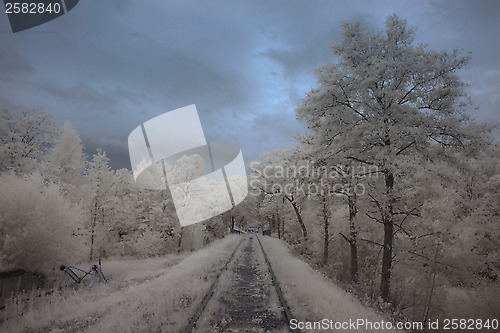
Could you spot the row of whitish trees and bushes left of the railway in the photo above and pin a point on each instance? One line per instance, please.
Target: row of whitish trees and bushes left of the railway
(58, 206)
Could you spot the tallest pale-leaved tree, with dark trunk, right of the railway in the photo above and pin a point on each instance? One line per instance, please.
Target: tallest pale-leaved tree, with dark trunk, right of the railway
(385, 99)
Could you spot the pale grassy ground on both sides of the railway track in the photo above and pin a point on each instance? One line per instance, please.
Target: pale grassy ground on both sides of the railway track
(161, 295)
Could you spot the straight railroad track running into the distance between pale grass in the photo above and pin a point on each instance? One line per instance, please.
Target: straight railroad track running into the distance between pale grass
(245, 296)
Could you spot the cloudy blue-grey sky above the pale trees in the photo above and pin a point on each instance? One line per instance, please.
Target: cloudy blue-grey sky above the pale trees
(108, 66)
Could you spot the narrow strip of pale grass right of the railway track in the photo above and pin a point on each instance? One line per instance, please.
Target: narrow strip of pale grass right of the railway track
(310, 295)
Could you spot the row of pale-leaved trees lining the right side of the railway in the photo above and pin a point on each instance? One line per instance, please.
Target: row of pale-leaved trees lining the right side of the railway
(390, 151)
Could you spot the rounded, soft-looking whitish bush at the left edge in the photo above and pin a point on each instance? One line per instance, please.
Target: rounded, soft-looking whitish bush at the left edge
(36, 225)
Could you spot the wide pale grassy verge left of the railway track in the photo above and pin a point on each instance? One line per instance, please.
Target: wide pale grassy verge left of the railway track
(156, 294)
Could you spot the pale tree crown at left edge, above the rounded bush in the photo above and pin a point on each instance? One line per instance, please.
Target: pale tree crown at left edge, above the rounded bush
(25, 140)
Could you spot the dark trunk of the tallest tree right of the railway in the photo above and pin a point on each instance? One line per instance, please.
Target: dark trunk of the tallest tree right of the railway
(387, 219)
